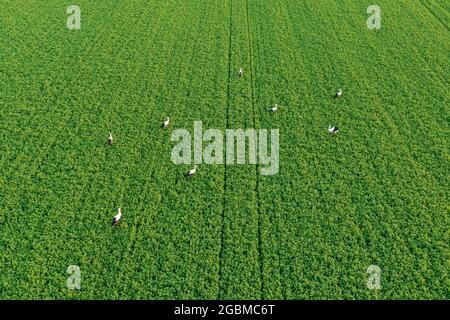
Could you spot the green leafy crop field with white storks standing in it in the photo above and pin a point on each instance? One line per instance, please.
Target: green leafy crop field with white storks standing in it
(375, 194)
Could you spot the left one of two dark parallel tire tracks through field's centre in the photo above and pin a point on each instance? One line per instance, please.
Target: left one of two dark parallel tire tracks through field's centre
(225, 165)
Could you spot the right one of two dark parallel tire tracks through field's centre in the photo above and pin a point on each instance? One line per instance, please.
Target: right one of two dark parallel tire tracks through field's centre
(258, 197)
